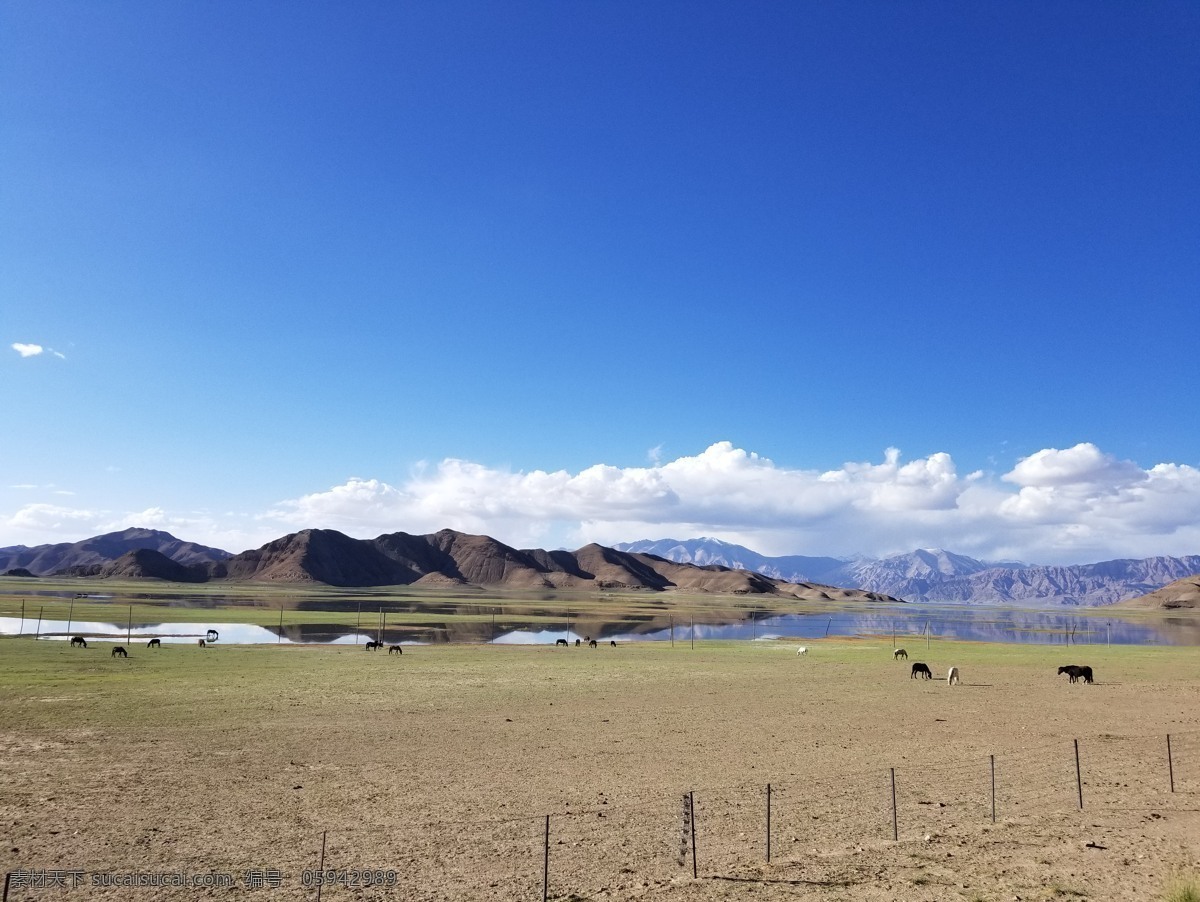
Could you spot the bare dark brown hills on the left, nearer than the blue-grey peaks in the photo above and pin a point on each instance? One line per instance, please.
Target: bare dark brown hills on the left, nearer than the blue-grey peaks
(440, 560)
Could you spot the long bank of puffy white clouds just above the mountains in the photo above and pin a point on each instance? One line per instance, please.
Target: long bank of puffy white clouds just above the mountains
(1055, 507)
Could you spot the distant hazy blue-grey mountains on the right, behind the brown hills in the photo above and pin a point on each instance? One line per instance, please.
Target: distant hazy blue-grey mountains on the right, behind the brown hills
(937, 575)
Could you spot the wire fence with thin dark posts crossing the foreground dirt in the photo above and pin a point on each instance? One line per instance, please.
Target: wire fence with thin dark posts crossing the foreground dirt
(628, 847)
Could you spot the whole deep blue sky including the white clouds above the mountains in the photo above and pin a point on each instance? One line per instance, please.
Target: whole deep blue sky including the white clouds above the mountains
(383, 267)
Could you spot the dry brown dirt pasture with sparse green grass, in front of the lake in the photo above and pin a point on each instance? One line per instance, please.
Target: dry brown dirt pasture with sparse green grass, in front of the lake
(442, 765)
